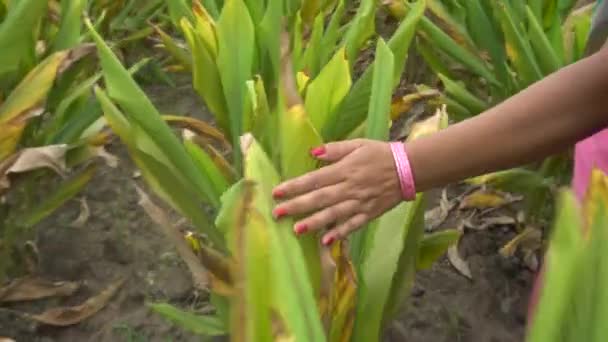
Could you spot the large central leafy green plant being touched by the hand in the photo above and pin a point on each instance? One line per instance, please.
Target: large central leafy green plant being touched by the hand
(274, 96)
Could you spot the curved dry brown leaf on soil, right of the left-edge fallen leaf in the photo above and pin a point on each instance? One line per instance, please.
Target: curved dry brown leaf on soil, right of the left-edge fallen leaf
(66, 316)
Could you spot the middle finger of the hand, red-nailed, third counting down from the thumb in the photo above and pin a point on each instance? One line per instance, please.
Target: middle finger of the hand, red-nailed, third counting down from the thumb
(311, 201)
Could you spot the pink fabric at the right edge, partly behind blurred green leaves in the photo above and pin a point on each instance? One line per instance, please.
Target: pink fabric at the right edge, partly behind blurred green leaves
(588, 154)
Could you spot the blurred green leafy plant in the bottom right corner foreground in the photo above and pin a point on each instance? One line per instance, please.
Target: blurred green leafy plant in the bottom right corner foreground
(573, 300)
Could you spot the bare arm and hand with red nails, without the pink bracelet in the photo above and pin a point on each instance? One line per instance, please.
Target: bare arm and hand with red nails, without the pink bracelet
(362, 183)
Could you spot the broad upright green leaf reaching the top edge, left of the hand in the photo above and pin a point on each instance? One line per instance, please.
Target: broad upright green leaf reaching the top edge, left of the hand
(235, 61)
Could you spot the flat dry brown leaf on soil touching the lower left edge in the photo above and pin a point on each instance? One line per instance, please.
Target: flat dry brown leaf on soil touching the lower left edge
(32, 288)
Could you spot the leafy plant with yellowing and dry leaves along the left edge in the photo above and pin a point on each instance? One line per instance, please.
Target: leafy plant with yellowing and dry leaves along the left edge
(48, 116)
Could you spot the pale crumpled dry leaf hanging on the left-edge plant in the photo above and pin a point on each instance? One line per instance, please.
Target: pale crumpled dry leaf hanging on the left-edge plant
(28, 159)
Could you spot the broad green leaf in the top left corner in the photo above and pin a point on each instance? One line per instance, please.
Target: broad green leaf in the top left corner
(17, 35)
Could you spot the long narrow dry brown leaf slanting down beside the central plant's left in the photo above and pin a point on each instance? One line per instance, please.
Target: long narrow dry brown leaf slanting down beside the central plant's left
(198, 272)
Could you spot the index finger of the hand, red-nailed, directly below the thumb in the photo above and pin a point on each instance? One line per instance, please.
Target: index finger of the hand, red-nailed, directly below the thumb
(323, 177)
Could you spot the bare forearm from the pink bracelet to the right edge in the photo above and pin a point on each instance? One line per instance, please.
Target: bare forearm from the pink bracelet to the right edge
(544, 119)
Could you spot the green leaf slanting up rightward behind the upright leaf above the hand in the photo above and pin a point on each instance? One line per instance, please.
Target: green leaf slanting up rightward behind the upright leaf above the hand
(353, 109)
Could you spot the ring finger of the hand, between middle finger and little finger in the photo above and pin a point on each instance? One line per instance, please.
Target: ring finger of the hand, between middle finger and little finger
(336, 213)
